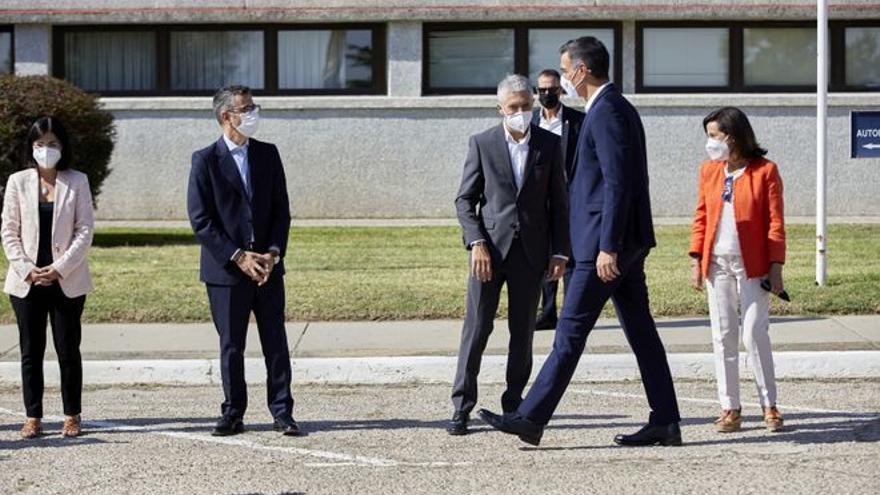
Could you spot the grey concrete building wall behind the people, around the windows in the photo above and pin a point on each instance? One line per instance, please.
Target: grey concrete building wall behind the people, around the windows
(400, 155)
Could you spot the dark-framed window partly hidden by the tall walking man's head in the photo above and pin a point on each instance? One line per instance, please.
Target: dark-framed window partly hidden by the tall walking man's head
(470, 58)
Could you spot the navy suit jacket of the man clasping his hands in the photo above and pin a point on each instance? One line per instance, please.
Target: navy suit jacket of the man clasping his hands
(223, 217)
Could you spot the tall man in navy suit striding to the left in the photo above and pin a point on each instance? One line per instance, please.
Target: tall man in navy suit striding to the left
(612, 233)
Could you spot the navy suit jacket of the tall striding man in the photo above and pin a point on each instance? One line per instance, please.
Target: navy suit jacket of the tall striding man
(610, 204)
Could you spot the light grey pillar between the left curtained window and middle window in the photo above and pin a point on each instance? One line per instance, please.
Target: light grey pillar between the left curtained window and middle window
(405, 59)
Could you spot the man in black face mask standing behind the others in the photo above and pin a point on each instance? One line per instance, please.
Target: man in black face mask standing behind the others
(565, 122)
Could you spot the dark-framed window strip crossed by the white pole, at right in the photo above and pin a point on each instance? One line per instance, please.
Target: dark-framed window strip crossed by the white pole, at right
(766, 57)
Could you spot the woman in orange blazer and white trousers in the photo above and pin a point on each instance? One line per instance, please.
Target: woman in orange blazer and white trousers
(737, 240)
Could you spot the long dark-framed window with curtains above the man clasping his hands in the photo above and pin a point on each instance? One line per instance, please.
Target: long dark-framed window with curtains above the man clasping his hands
(338, 59)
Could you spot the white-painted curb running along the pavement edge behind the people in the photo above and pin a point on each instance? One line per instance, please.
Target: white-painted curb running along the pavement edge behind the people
(441, 369)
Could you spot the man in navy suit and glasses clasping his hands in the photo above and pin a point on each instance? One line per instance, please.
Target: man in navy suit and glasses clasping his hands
(239, 210)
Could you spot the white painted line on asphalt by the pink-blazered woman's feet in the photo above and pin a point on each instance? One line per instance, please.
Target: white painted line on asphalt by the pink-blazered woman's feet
(345, 459)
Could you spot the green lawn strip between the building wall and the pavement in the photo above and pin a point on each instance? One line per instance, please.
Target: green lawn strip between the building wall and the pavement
(151, 275)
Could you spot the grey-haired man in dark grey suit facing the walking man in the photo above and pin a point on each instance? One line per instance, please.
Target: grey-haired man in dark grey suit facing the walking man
(513, 211)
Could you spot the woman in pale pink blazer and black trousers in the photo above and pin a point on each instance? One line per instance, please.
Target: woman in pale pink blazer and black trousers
(47, 231)
